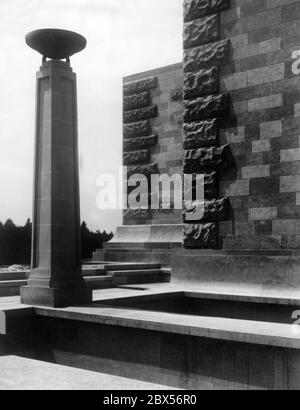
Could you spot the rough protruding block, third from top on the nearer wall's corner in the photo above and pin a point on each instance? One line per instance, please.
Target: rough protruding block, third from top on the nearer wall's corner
(205, 56)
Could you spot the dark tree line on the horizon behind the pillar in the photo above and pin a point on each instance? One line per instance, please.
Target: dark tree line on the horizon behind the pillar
(15, 242)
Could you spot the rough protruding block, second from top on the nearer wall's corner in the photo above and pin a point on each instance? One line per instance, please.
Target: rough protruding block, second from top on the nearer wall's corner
(201, 31)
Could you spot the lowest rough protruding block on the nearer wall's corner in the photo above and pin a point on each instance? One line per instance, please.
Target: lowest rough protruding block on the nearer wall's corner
(200, 236)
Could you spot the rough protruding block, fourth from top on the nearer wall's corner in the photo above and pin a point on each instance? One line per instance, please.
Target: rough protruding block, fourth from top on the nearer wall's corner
(201, 83)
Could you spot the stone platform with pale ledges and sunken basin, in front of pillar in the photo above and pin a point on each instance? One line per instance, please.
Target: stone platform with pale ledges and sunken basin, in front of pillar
(184, 351)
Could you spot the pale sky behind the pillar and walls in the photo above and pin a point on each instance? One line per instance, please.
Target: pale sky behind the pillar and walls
(124, 37)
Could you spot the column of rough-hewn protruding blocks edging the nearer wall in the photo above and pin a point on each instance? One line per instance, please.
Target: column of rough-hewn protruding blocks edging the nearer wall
(205, 107)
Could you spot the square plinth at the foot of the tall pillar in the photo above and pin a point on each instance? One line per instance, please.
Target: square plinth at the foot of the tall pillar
(56, 297)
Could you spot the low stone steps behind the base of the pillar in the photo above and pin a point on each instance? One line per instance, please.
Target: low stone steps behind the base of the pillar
(97, 275)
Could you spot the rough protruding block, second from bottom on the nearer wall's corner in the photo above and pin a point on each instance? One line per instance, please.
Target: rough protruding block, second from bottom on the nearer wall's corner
(216, 210)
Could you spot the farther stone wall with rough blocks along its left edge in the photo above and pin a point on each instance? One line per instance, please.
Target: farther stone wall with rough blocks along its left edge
(152, 135)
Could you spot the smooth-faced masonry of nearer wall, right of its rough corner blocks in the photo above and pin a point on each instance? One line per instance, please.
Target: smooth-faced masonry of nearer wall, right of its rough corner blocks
(264, 136)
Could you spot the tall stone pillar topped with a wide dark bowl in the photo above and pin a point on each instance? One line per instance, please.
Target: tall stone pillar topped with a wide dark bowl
(56, 278)
